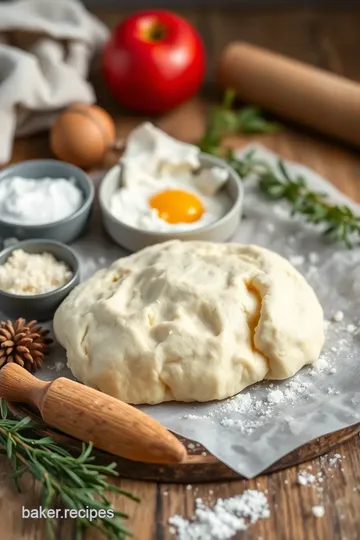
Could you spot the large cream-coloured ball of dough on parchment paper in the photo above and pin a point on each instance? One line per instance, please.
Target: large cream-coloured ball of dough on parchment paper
(190, 321)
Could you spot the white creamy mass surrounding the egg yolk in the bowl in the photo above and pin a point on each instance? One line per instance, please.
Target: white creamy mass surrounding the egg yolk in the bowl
(154, 162)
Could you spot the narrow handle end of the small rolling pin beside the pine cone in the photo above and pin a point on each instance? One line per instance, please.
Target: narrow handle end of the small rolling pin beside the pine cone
(17, 384)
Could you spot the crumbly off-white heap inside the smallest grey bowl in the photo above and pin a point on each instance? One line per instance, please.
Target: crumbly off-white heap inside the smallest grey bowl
(33, 273)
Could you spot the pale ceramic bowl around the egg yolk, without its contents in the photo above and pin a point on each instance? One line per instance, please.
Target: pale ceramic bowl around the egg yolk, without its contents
(134, 239)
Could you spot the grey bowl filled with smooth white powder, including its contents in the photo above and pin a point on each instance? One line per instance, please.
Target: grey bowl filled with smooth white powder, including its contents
(44, 199)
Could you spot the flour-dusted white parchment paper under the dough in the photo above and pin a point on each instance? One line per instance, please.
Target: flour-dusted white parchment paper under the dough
(260, 425)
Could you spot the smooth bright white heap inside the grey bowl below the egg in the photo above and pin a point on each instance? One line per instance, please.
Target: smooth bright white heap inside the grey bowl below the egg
(27, 201)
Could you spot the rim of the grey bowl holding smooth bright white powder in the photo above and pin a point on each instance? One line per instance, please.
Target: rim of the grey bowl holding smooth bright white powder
(84, 206)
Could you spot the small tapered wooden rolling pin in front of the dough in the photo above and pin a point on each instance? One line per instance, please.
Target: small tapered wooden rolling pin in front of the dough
(90, 415)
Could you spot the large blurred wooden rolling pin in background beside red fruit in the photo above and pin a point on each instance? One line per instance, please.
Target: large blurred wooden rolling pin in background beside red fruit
(311, 96)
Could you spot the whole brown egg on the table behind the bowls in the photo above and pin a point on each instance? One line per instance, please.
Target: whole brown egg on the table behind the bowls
(82, 135)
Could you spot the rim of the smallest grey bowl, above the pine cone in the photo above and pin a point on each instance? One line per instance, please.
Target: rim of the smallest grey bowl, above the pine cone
(43, 296)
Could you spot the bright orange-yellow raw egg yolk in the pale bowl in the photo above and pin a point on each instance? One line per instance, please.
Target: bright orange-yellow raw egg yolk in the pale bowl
(177, 206)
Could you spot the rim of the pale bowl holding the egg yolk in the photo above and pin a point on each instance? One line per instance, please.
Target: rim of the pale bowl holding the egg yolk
(238, 202)
